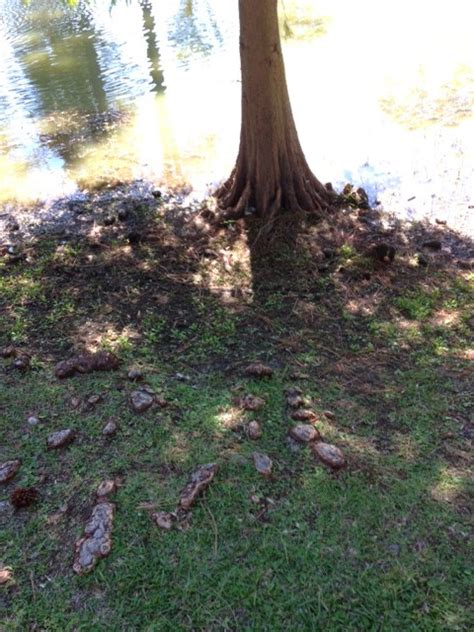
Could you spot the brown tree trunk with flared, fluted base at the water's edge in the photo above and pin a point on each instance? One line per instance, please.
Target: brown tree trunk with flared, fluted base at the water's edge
(271, 172)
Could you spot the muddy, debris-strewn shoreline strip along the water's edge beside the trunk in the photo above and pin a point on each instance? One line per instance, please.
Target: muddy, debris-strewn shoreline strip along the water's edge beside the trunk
(123, 207)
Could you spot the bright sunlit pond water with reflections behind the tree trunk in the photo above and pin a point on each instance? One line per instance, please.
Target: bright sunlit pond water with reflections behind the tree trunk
(382, 92)
